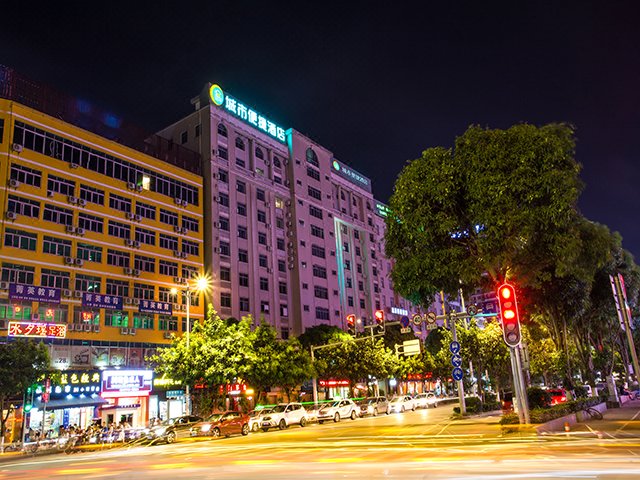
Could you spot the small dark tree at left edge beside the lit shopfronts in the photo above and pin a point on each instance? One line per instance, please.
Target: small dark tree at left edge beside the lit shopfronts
(22, 363)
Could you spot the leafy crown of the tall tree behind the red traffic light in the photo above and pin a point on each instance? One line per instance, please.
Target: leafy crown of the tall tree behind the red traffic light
(501, 203)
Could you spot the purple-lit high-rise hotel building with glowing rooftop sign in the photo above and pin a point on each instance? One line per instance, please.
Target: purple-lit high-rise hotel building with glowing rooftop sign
(291, 233)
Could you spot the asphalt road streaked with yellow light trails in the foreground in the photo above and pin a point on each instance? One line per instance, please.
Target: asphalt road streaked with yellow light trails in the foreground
(424, 444)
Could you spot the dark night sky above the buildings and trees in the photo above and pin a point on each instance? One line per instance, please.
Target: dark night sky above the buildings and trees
(374, 82)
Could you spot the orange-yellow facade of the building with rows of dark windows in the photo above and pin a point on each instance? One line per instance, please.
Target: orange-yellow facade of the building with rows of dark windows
(66, 224)
